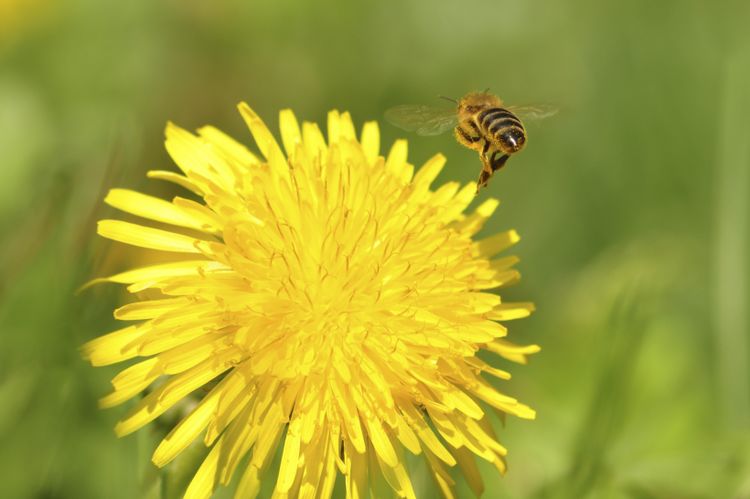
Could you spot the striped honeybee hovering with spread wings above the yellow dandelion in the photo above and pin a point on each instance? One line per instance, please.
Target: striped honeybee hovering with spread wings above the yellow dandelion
(480, 122)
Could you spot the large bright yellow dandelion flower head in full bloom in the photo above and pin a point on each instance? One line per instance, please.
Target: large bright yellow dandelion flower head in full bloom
(337, 300)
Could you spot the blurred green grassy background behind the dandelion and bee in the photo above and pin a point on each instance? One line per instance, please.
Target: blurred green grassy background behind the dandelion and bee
(632, 203)
